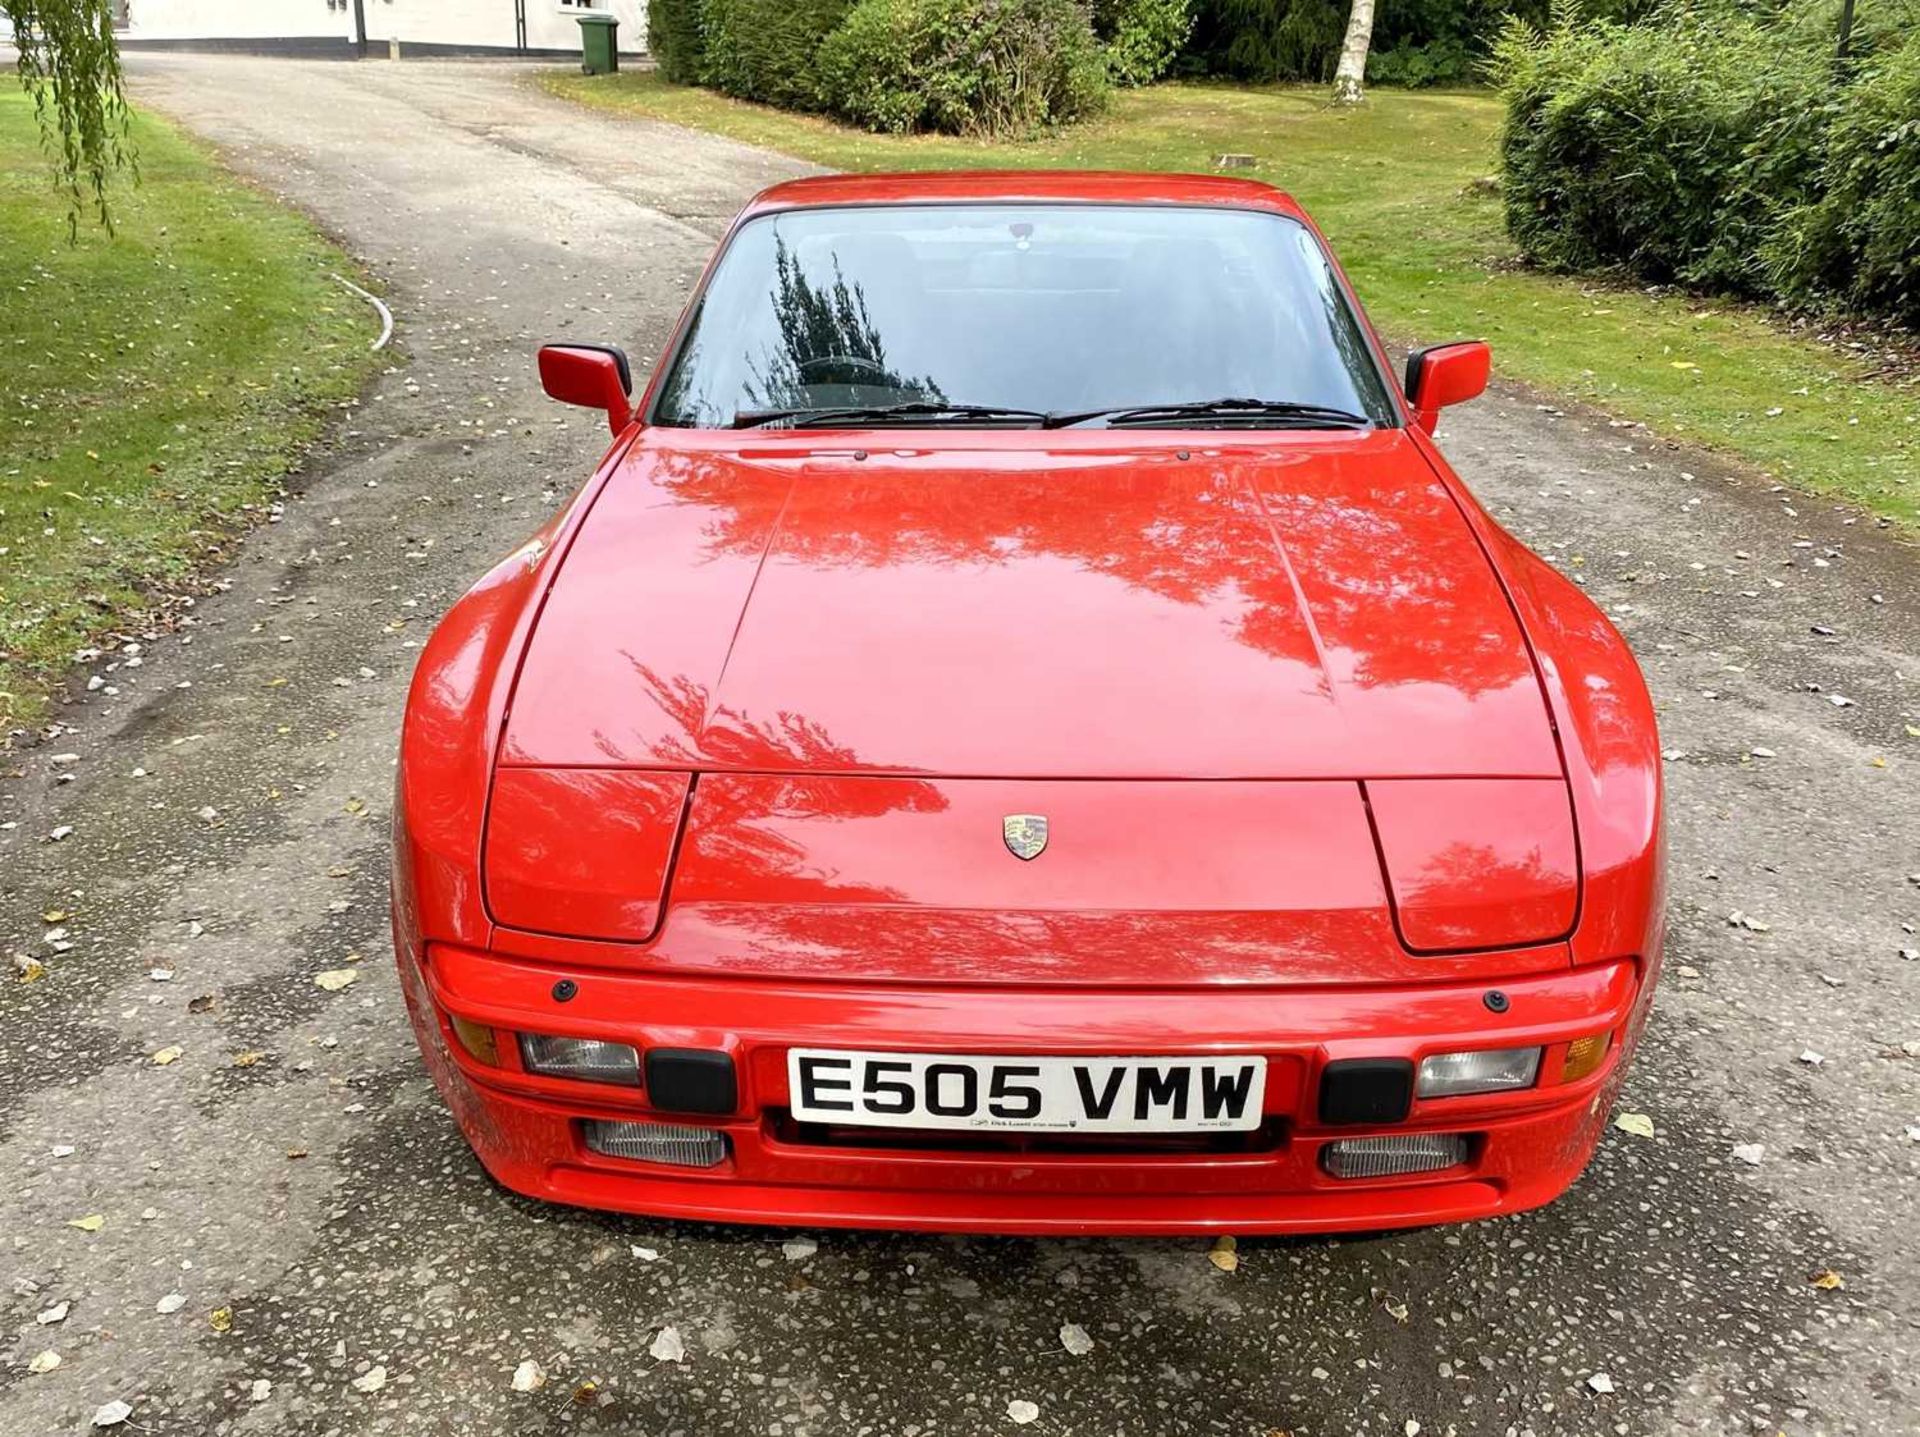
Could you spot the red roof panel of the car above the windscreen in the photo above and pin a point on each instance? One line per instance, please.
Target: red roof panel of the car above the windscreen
(1086, 185)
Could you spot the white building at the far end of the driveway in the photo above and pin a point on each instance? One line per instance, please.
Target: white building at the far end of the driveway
(347, 30)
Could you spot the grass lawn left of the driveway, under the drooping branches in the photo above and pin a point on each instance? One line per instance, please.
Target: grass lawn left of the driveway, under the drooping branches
(155, 387)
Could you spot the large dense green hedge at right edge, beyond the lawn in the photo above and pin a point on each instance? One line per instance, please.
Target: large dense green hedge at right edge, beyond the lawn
(1717, 151)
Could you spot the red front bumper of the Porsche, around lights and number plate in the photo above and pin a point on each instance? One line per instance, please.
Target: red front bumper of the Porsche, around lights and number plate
(1525, 1148)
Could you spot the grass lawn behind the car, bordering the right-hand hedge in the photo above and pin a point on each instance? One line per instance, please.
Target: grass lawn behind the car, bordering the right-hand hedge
(1431, 260)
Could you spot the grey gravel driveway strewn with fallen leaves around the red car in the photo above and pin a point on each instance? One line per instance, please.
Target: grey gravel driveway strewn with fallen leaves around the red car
(299, 1242)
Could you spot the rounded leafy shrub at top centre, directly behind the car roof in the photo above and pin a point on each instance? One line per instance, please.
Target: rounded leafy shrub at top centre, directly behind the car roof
(963, 66)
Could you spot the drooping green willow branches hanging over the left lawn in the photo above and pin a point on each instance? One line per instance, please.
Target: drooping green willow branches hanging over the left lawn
(70, 66)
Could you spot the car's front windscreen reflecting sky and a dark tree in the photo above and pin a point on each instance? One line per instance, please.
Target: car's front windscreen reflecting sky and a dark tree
(1045, 308)
